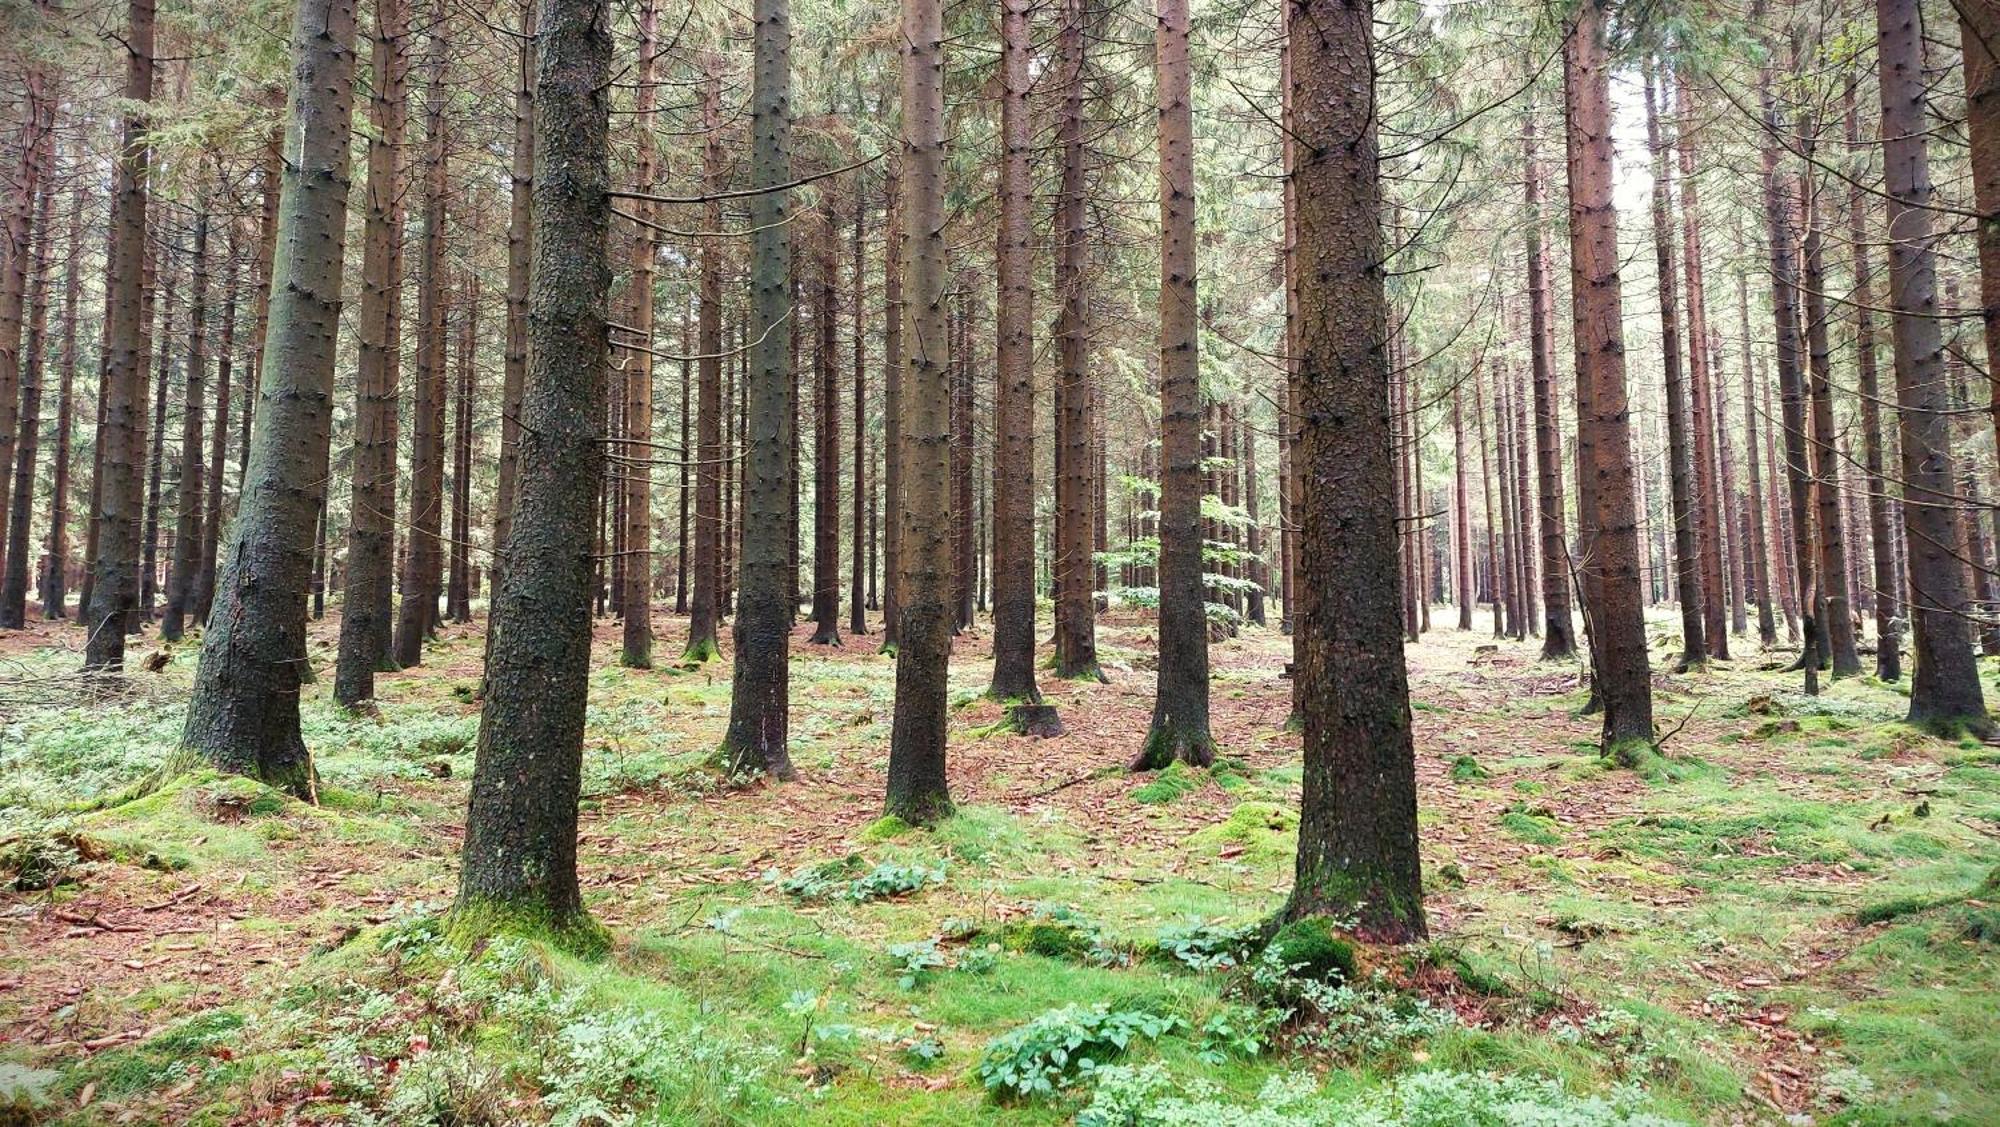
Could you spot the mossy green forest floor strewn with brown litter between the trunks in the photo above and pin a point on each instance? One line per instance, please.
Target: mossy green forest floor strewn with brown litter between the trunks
(1777, 922)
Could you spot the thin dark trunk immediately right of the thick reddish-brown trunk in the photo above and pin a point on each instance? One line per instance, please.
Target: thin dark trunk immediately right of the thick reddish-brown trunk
(1679, 451)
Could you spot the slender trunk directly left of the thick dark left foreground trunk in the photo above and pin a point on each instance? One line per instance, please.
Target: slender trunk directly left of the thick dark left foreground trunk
(519, 261)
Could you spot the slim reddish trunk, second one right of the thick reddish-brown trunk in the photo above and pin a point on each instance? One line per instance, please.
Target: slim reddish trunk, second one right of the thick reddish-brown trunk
(1711, 505)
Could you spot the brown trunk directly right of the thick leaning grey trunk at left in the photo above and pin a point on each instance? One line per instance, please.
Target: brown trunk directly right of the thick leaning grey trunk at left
(367, 610)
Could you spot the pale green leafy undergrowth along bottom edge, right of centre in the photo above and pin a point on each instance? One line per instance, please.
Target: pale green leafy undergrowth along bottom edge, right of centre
(1151, 1096)
